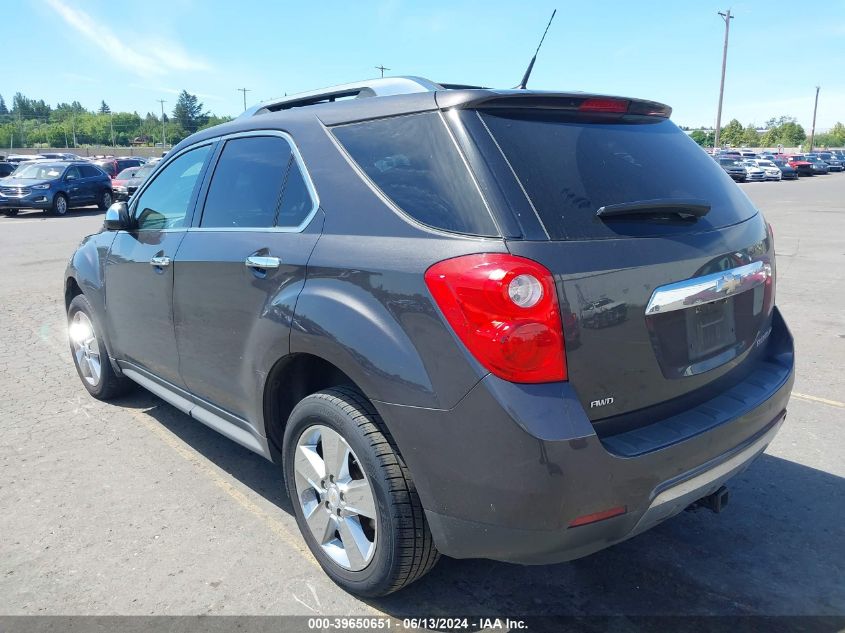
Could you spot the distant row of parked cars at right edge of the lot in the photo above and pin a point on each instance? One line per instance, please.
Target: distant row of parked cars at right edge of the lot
(746, 166)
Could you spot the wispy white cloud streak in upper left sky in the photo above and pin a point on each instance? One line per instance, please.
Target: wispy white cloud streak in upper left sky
(160, 59)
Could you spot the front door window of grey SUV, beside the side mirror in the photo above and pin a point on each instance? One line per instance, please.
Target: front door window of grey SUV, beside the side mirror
(164, 204)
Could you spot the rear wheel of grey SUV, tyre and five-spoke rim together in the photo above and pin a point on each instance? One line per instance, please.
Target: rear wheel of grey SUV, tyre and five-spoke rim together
(355, 502)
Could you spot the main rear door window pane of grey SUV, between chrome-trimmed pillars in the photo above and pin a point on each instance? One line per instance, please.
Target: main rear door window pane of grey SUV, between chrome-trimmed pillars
(247, 183)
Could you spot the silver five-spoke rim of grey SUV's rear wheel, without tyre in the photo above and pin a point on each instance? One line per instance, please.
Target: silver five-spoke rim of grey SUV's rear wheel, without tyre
(335, 497)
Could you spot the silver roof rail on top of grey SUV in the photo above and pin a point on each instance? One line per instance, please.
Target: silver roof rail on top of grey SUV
(384, 87)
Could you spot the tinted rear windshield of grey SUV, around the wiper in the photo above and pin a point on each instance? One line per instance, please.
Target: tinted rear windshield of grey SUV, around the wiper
(571, 166)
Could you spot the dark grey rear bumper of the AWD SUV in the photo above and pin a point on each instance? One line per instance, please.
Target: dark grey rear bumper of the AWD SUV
(505, 473)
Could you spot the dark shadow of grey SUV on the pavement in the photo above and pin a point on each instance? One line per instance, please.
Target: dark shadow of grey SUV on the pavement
(777, 549)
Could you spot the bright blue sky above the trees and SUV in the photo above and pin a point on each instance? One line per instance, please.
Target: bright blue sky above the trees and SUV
(131, 54)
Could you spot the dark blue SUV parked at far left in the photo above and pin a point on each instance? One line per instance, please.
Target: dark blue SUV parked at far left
(55, 186)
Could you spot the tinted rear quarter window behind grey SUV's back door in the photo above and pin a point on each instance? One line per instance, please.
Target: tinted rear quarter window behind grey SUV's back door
(415, 163)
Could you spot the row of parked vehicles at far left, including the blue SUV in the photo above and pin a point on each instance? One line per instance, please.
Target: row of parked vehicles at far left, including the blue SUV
(58, 182)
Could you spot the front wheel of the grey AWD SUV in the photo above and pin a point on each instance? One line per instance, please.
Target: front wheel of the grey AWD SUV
(89, 353)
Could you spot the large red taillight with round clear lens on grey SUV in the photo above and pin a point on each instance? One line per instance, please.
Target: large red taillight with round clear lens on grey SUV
(504, 309)
